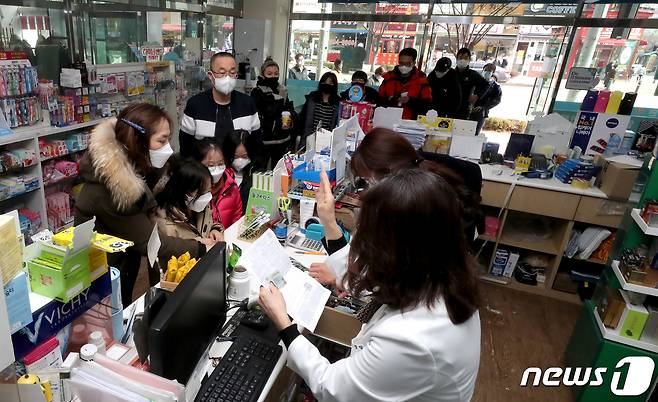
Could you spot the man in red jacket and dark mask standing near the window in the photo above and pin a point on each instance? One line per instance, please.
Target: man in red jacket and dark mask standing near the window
(406, 86)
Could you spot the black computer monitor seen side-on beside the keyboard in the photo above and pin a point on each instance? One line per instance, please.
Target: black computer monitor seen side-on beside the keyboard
(184, 326)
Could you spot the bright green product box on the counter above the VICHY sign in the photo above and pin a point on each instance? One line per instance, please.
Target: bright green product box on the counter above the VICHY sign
(64, 281)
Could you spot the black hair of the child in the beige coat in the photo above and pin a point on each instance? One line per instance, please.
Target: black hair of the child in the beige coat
(186, 176)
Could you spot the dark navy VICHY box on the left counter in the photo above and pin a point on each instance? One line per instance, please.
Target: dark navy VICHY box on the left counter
(49, 319)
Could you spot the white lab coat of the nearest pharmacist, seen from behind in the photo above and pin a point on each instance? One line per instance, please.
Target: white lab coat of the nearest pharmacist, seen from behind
(419, 356)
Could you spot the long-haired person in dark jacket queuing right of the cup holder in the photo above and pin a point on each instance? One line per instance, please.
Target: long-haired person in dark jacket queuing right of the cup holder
(321, 107)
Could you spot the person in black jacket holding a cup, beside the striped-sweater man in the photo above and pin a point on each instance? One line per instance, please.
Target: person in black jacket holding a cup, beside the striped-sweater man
(272, 104)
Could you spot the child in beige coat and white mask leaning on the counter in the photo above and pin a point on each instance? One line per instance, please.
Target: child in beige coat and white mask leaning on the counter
(183, 204)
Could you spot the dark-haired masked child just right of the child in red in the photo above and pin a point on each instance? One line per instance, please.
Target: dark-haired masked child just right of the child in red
(238, 148)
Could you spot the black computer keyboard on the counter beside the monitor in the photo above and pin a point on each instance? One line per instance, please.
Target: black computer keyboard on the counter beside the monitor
(242, 372)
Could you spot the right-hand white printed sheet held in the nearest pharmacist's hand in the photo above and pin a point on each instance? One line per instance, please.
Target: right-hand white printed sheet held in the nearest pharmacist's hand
(305, 298)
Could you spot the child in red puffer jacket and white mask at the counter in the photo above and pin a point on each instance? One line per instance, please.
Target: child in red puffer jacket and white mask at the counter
(226, 204)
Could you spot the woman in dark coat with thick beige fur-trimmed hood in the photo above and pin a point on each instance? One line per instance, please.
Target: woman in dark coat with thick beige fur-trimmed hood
(116, 193)
